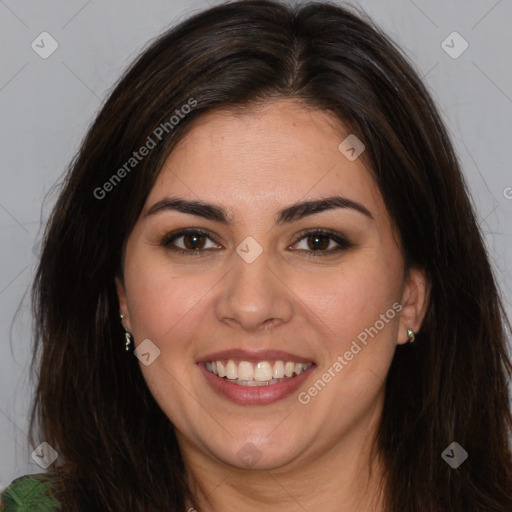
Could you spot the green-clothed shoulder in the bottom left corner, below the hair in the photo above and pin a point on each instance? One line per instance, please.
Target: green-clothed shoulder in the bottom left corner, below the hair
(31, 492)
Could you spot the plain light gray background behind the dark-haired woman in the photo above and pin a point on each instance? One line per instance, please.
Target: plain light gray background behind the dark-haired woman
(47, 104)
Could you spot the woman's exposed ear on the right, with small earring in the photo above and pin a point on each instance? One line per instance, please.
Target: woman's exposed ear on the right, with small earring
(415, 298)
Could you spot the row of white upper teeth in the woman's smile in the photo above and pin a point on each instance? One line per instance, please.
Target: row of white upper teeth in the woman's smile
(260, 371)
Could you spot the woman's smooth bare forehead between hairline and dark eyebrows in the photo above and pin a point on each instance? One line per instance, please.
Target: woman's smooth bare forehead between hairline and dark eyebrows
(265, 157)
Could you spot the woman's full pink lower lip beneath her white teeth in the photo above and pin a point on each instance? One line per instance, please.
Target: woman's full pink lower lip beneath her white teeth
(255, 395)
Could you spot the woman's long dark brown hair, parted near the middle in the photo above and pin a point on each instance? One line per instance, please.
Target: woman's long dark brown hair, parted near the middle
(117, 449)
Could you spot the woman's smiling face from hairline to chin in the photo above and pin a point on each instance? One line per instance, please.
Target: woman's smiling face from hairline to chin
(260, 290)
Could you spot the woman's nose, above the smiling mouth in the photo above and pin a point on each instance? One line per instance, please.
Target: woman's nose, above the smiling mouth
(254, 297)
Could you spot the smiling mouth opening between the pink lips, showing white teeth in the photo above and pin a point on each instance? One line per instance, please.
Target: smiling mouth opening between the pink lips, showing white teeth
(260, 373)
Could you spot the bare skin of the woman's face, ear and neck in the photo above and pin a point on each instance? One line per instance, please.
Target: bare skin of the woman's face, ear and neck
(313, 456)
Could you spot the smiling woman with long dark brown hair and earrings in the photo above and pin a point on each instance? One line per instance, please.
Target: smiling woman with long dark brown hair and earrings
(269, 210)
